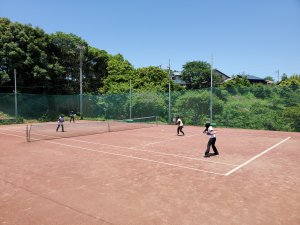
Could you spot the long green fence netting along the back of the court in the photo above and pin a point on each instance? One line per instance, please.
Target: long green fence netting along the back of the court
(254, 107)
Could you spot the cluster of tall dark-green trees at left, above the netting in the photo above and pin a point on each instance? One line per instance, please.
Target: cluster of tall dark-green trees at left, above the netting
(47, 63)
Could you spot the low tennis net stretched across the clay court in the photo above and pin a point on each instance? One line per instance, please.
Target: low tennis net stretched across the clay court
(36, 132)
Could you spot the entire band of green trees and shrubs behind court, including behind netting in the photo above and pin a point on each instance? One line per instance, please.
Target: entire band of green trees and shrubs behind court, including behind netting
(48, 64)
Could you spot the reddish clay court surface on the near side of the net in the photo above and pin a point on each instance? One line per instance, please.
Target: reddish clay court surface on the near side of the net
(150, 176)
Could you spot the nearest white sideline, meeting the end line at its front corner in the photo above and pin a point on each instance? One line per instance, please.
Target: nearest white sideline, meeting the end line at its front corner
(136, 158)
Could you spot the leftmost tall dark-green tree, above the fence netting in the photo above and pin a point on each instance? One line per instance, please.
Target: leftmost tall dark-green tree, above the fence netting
(25, 49)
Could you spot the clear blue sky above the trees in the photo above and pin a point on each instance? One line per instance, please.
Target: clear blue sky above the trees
(255, 37)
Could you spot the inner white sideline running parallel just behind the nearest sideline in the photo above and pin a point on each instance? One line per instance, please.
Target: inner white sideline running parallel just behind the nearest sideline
(160, 153)
